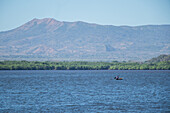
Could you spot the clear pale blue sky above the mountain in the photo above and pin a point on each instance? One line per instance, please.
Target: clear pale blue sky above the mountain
(14, 13)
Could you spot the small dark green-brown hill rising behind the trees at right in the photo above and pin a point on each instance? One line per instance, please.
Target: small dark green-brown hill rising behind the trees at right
(160, 58)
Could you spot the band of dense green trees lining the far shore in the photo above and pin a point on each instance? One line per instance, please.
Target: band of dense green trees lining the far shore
(82, 65)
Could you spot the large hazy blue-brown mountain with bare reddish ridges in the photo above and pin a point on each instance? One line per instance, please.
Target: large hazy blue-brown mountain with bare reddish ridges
(49, 39)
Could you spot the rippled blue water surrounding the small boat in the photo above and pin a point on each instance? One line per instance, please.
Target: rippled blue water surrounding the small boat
(84, 91)
